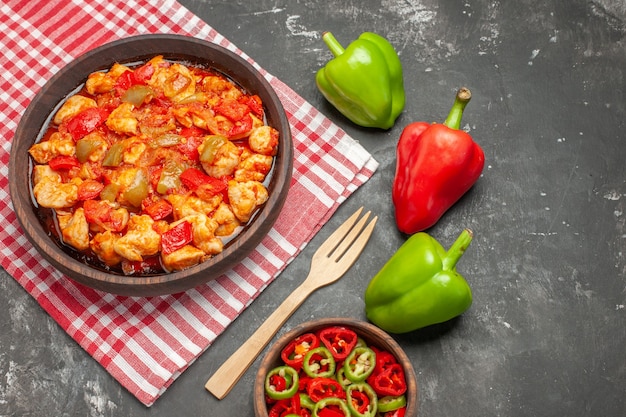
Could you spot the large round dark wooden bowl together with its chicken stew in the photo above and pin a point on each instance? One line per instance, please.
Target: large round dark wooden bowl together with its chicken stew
(151, 165)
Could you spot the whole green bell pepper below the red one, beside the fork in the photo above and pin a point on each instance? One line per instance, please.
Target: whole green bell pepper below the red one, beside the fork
(419, 285)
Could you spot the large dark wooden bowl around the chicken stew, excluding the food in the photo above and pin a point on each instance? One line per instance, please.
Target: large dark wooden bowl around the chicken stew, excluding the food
(133, 50)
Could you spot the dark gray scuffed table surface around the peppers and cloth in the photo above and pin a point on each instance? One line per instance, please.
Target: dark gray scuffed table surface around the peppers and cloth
(546, 334)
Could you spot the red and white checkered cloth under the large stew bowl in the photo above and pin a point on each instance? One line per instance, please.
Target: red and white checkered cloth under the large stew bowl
(146, 343)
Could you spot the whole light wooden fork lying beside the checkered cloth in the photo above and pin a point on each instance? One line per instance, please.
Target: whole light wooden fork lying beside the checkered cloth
(328, 264)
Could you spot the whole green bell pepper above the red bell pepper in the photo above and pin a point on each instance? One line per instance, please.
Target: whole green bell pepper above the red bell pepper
(364, 81)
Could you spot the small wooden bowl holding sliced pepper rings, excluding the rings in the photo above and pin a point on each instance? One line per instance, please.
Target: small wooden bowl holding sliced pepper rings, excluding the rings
(372, 335)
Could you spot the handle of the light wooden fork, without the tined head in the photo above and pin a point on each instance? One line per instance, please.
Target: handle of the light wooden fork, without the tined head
(225, 378)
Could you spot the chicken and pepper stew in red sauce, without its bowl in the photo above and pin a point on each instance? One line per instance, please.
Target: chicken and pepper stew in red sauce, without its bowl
(152, 168)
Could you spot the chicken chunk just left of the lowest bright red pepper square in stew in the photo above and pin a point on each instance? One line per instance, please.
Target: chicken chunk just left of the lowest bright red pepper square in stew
(140, 240)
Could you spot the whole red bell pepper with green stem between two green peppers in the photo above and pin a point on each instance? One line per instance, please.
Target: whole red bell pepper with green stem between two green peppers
(436, 165)
